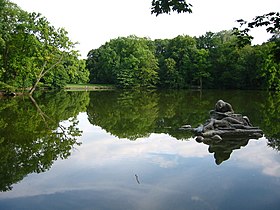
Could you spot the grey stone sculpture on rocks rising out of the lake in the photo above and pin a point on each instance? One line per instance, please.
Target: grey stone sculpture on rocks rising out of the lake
(224, 123)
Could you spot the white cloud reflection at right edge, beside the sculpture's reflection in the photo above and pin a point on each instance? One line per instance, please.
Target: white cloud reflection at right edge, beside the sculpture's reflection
(258, 154)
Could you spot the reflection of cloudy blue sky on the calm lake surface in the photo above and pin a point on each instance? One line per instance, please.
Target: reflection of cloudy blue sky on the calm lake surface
(172, 174)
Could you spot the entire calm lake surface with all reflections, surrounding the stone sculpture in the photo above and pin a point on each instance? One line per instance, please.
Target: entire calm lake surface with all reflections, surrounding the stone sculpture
(123, 150)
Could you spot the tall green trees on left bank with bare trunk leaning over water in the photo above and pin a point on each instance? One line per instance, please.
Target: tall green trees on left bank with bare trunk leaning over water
(33, 52)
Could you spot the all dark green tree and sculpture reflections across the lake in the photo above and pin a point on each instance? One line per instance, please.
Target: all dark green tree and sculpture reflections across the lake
(33, 135)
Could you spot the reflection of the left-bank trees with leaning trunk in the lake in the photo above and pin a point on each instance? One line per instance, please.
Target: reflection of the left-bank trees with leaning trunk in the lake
(31, 140)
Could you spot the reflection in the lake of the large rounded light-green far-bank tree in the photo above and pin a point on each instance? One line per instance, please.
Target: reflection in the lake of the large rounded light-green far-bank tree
(129, 114)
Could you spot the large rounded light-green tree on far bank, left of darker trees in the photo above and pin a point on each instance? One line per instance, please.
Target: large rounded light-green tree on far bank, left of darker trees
(127, 62)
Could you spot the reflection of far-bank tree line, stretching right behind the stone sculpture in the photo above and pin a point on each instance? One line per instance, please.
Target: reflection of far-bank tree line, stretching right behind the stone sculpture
(136, 114)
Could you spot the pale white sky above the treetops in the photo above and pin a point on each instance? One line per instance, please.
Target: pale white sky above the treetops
(94, 22)
